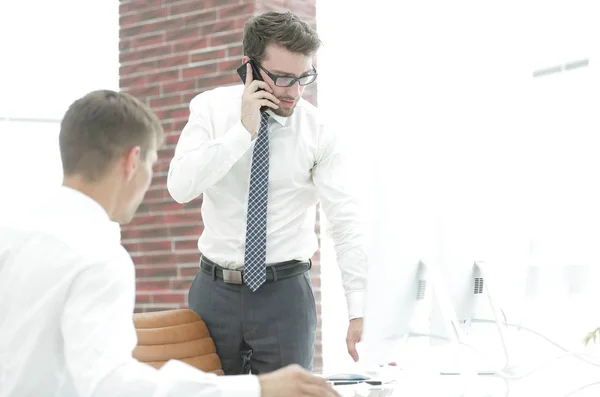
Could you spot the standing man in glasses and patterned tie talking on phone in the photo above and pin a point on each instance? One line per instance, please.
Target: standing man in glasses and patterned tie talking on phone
(261, 174)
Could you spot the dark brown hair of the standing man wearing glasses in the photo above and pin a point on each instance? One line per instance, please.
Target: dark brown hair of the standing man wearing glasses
(280, 28)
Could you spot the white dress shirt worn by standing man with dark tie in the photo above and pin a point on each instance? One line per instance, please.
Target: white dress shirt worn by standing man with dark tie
(213, 158)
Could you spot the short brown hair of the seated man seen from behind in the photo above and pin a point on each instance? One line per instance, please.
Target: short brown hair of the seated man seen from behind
(101, 126)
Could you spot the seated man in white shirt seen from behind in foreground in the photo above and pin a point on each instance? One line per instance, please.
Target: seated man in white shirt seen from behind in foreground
(67, 286)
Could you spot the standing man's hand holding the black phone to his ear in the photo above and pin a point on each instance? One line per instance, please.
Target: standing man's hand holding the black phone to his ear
(256, 94)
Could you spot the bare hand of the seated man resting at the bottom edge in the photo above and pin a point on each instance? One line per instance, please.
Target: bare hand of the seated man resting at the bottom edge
(294, 381)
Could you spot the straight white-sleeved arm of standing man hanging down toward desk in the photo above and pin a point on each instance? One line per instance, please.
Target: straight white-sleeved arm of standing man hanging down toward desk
(345, 228)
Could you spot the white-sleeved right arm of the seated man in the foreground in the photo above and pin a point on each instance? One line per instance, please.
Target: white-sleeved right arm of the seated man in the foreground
(99, 338)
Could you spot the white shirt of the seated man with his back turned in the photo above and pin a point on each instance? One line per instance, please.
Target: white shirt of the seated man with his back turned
(67, 291)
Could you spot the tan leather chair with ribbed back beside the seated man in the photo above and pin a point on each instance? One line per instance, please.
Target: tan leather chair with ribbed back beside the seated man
(175, 334)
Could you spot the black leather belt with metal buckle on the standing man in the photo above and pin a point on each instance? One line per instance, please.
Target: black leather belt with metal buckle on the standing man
(276, 271)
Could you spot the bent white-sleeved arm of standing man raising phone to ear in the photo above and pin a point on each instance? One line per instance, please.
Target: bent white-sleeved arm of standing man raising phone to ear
(200, 159)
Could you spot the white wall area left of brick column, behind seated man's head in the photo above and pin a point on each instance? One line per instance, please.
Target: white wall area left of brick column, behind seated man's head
(52, 53)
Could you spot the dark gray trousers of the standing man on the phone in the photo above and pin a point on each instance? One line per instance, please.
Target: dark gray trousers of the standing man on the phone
(262, 331)
